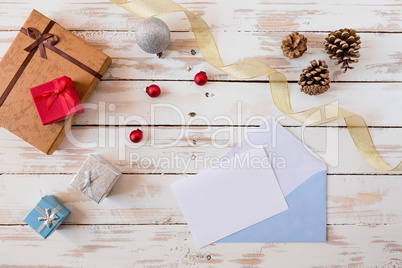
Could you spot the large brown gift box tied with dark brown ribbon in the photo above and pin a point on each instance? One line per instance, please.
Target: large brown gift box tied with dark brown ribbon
(65, 55)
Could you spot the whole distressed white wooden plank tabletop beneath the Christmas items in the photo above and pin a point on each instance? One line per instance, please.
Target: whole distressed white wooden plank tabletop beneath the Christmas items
(140, 224)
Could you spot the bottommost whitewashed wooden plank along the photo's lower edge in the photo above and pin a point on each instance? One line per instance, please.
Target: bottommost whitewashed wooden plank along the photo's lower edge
(172, 246)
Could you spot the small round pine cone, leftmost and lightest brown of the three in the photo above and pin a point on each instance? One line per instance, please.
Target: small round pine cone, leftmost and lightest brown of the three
(294, 45)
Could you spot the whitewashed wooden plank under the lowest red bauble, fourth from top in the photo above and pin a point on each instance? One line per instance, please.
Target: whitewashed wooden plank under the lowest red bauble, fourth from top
(183, 149)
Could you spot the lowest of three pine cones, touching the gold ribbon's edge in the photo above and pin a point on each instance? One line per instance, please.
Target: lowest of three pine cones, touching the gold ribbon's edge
(315, 78)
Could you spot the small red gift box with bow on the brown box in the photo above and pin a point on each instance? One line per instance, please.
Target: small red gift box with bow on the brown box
(56, 100)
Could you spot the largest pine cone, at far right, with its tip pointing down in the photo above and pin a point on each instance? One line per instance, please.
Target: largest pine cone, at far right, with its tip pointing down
(343, 45)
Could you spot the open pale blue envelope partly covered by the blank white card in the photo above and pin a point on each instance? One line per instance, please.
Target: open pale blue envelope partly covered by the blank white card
(303, 180)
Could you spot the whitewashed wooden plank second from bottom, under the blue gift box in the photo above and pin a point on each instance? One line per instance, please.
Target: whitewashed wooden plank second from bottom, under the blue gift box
(147, 199)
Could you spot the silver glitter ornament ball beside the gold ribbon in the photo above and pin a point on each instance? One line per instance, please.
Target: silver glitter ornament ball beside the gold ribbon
(152, 35)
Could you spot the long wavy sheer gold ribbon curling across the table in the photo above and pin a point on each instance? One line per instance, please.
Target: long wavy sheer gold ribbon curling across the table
(279, 87)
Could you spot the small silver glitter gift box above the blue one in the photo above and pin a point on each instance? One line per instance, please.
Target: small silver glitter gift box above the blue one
(96, 178)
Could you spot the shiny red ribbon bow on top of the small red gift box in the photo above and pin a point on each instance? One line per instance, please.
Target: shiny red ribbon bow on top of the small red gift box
(61, 92)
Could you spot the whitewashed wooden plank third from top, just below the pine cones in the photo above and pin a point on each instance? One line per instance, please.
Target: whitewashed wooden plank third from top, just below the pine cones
(222, 103)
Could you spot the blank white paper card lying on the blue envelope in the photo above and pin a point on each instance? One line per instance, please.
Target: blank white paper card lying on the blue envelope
(228, 198)
